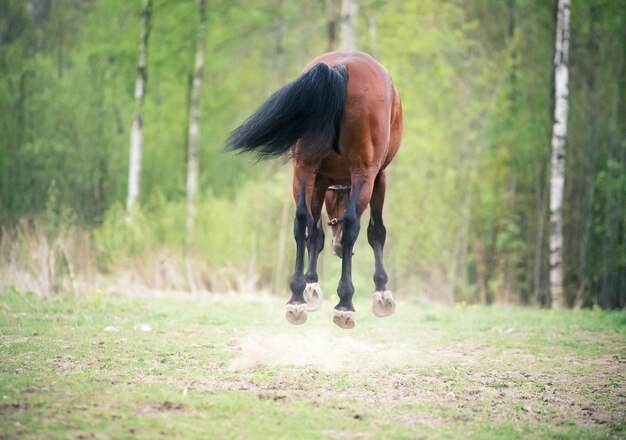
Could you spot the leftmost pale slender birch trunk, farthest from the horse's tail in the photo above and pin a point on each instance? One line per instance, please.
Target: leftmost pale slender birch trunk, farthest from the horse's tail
(136, 131)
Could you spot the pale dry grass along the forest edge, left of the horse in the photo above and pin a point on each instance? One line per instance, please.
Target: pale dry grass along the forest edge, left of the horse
(34, 260)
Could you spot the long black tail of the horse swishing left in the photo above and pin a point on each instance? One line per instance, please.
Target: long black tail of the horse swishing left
(309, 108)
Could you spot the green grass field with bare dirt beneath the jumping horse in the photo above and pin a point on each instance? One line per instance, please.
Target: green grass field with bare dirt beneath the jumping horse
(104, 366)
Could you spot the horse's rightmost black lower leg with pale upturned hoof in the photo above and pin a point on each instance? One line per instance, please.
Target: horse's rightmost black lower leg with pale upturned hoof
(382, 299)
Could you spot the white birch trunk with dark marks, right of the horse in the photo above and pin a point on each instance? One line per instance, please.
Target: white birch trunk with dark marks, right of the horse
(559, 132)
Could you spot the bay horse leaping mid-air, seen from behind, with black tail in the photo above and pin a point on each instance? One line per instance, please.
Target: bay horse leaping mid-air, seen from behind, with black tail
(341, 123)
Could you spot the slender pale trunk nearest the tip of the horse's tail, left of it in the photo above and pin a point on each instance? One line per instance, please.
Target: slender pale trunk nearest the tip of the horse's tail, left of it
(193, 137)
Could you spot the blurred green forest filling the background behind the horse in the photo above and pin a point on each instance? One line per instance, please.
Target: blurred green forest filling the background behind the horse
(467, 204)
